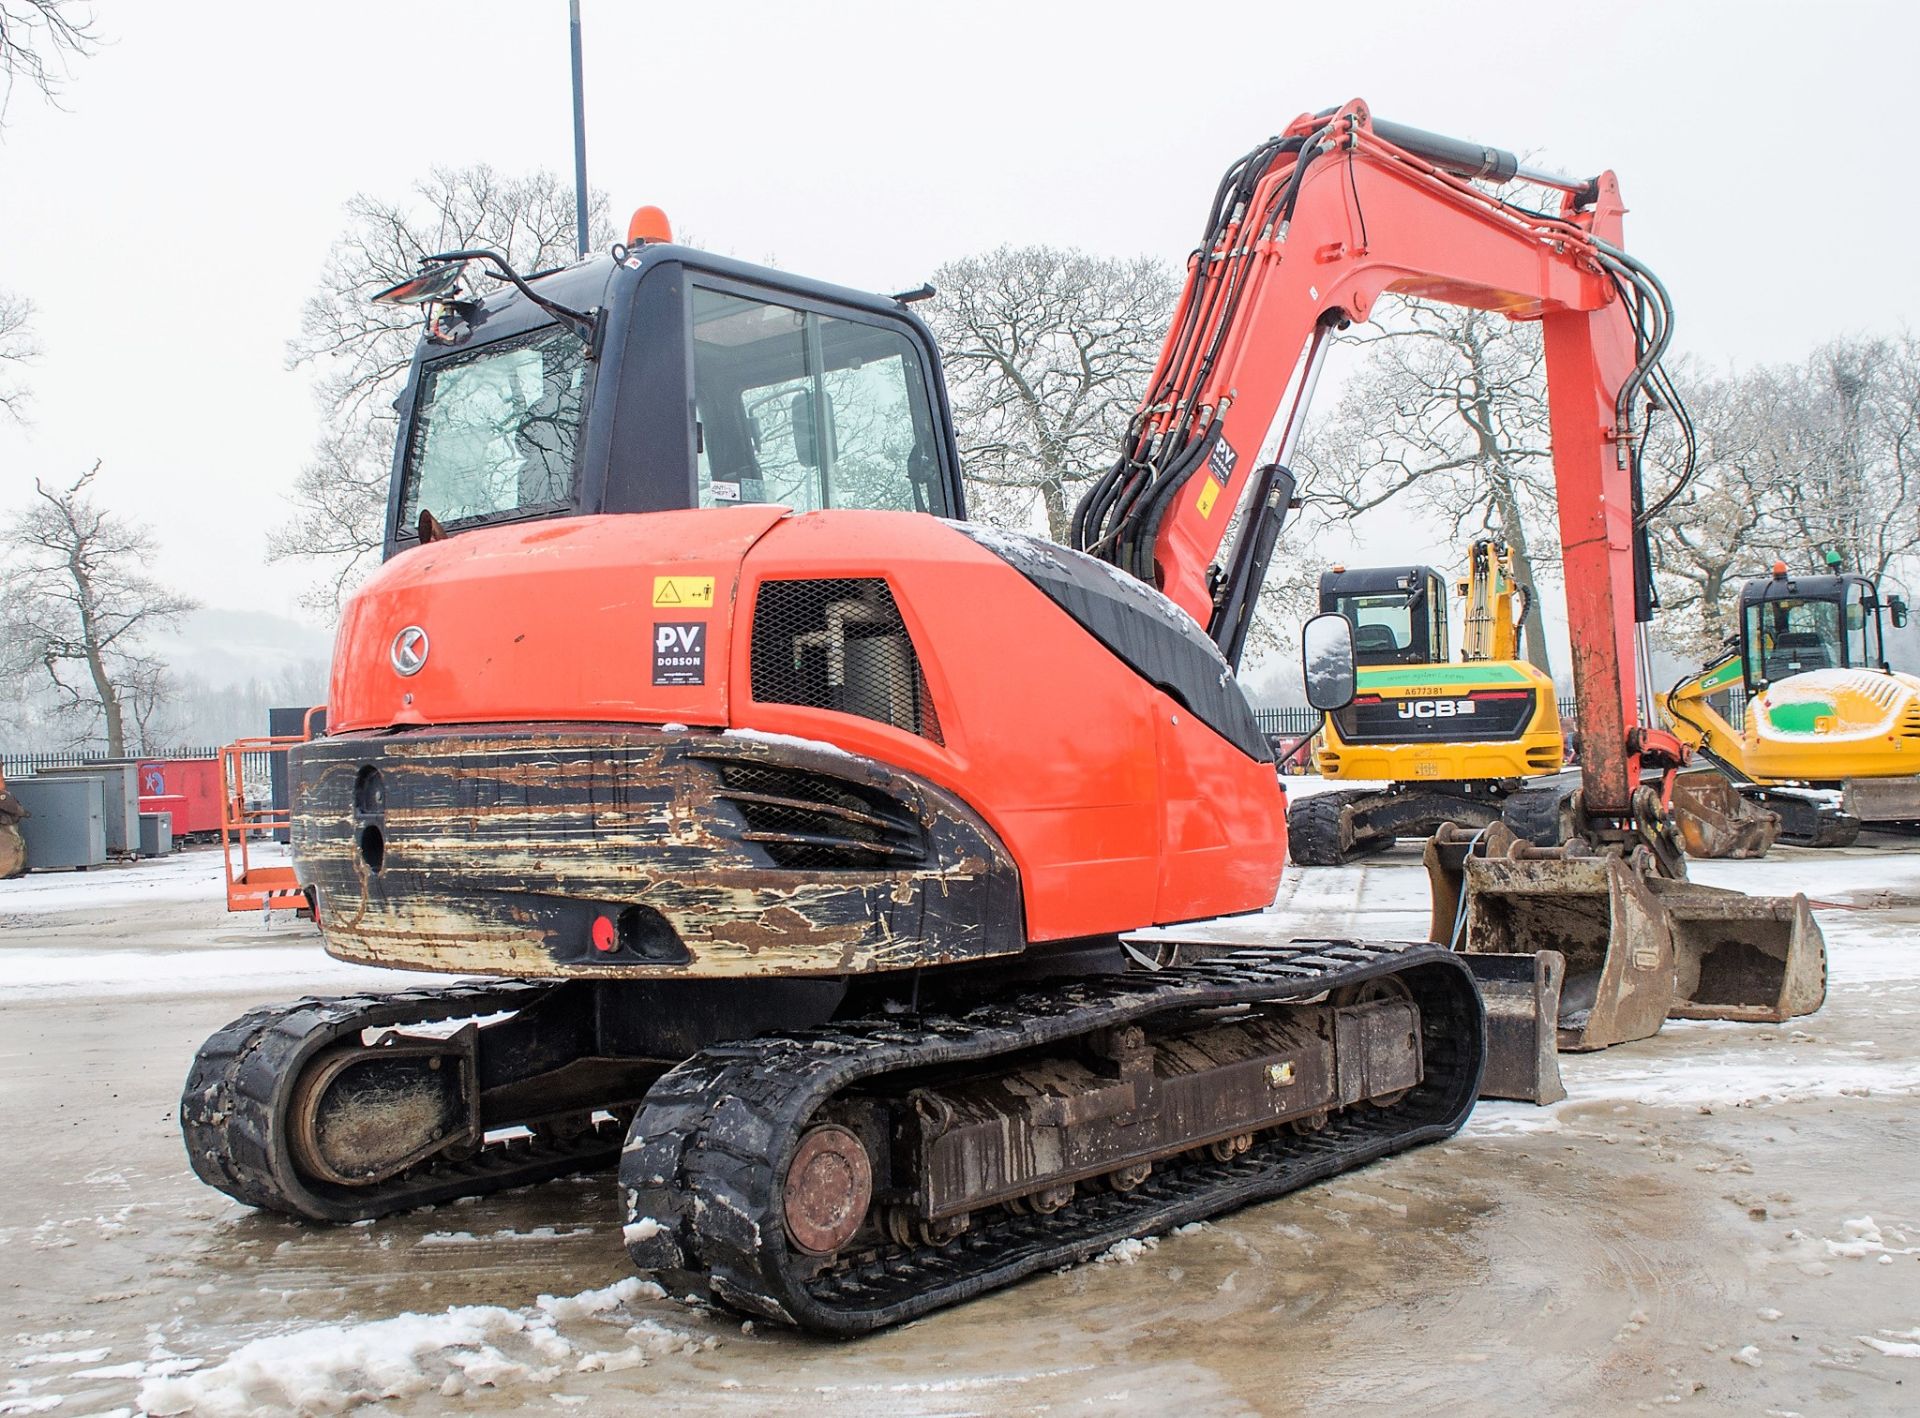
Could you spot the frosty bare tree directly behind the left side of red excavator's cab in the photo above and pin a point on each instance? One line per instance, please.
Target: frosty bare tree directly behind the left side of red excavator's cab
(360, 352)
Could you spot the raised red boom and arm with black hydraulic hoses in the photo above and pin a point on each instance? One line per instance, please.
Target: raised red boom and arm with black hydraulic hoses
(1307, 233)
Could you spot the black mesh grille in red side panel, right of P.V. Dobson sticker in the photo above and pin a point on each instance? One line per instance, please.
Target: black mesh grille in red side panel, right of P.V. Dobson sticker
(840, 646)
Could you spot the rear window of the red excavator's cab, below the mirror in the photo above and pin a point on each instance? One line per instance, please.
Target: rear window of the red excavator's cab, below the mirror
(496, 431)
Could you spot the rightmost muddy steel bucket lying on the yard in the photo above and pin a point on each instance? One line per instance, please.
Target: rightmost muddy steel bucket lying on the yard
(1748, 958)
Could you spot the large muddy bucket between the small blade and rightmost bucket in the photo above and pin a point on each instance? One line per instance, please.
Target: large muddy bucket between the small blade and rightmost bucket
(1595, 910)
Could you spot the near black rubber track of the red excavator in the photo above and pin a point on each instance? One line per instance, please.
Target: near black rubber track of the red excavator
(709, 1150)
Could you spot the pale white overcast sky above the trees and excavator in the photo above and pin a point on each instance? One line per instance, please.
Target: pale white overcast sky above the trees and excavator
(174, 216)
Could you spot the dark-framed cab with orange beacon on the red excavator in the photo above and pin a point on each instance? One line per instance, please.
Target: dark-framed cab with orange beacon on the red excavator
(556, 402)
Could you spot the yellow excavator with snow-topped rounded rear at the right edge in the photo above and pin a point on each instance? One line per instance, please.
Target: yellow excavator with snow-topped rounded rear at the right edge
(1833, 734)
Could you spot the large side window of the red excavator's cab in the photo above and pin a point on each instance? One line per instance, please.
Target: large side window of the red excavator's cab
(809, 410)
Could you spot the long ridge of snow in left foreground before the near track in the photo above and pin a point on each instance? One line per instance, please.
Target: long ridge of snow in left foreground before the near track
(460, 1352)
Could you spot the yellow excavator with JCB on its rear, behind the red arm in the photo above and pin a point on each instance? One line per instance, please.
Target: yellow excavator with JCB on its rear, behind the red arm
(1452, 742)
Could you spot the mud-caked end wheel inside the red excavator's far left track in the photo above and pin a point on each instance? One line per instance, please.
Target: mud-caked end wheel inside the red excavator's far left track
(364, 1114)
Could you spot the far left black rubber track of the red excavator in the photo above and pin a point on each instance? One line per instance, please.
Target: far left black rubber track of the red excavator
(243, 1079)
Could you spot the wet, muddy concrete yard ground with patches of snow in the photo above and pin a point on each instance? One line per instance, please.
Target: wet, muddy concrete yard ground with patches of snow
(1719, 1219)
